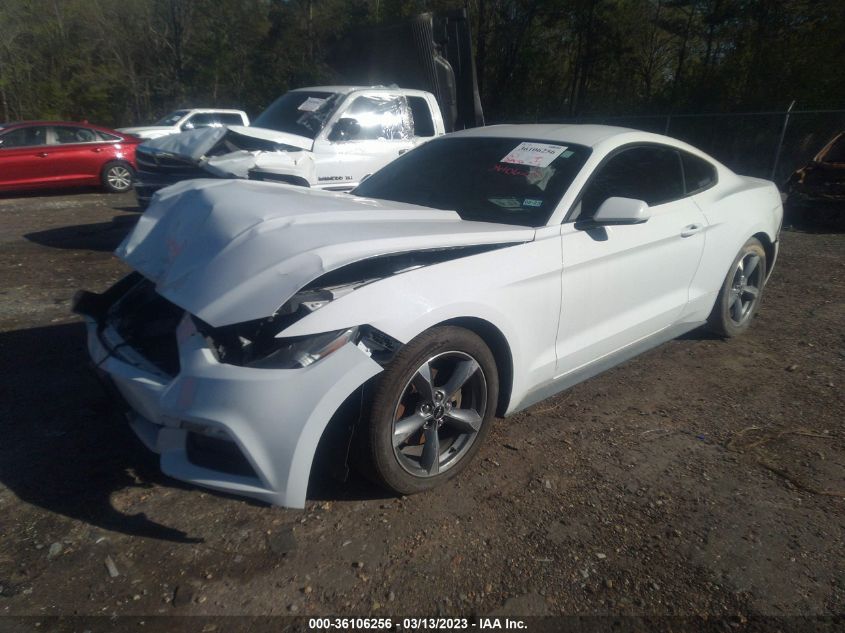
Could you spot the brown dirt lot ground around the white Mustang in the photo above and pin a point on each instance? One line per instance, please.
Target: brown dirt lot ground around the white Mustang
(705, 477)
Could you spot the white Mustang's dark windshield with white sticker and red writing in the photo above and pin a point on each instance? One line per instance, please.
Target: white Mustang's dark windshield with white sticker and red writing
(504, 180)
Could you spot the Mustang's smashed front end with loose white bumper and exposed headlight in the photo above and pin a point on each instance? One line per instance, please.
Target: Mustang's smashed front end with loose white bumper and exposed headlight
(242, 408)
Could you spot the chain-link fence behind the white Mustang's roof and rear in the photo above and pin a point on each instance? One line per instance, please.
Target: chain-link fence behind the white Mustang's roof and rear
(765, 144)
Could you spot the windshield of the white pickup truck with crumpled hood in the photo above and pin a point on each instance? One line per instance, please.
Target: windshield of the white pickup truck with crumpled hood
(303, 112)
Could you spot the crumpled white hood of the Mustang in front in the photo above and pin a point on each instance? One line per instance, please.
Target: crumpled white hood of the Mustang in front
(230, 251)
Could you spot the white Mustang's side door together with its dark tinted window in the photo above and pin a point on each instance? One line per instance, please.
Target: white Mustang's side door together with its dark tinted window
(623, 283)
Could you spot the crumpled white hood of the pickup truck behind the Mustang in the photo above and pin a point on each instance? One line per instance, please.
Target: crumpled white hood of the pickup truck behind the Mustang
(195, 144)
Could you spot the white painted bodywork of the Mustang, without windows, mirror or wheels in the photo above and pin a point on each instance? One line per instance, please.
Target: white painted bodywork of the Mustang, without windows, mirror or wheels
(567, 302)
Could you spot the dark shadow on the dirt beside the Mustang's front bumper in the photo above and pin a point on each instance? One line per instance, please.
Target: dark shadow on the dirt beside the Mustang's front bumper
(64, 448)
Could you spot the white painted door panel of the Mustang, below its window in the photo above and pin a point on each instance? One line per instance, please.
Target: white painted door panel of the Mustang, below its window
(624, 278)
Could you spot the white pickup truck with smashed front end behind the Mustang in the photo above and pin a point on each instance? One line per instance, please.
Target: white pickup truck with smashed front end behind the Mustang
(328, 137)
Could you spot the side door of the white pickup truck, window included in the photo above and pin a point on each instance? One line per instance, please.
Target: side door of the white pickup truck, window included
(369, 131)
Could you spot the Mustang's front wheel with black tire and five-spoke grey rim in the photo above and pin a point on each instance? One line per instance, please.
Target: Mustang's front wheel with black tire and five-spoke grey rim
(451, 351)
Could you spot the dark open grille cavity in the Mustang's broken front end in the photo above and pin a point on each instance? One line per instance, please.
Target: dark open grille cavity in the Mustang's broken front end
(147, 323)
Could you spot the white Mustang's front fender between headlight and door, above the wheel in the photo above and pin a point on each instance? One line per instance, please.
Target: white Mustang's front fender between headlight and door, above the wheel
(515, 289)
